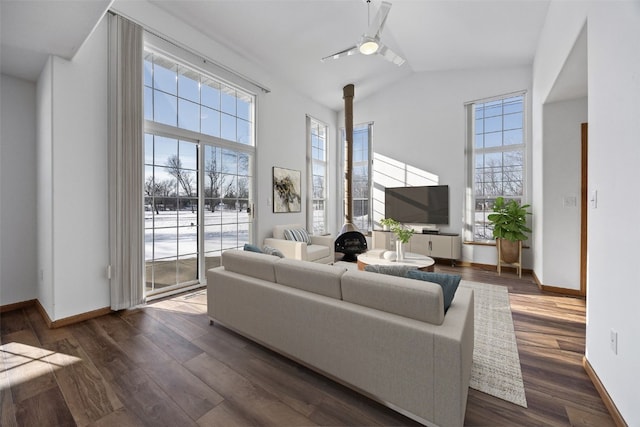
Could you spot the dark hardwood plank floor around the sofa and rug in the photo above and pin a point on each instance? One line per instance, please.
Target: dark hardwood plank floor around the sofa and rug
(164, 365)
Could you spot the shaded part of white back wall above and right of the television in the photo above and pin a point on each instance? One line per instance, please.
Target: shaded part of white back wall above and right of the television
(421, 122)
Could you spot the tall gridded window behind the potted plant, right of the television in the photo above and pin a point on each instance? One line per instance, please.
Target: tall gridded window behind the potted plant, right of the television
(497, 164)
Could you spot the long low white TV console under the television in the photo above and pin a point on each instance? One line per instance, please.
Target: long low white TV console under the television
(442, 245)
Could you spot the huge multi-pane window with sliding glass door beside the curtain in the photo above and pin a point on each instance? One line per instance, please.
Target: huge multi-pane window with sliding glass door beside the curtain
(199, 148)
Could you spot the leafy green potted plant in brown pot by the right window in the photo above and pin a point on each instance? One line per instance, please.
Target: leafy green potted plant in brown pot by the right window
(509, 222)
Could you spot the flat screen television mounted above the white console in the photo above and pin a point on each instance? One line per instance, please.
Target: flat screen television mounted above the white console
(418, 205)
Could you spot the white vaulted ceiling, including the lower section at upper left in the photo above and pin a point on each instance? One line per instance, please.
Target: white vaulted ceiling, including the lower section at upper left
(288, 37)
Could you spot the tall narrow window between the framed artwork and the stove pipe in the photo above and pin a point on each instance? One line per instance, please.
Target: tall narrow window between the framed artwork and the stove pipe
(317, 134)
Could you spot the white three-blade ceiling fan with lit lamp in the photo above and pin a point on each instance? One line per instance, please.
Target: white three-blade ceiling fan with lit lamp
(369, 43)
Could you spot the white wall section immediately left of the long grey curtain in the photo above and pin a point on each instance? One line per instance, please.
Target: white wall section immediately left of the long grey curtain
(72, 171)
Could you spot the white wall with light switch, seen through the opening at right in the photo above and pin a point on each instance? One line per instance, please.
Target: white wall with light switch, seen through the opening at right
(562, 184)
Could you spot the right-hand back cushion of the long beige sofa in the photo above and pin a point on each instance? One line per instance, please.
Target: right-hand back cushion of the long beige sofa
(397, 295)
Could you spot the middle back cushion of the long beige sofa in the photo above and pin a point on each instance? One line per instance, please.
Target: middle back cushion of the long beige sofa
(321, 279)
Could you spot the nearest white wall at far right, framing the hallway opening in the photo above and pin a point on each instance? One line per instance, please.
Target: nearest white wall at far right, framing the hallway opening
(613, 110)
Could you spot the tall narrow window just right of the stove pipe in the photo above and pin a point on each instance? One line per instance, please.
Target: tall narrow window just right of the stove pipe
(361, 176)
